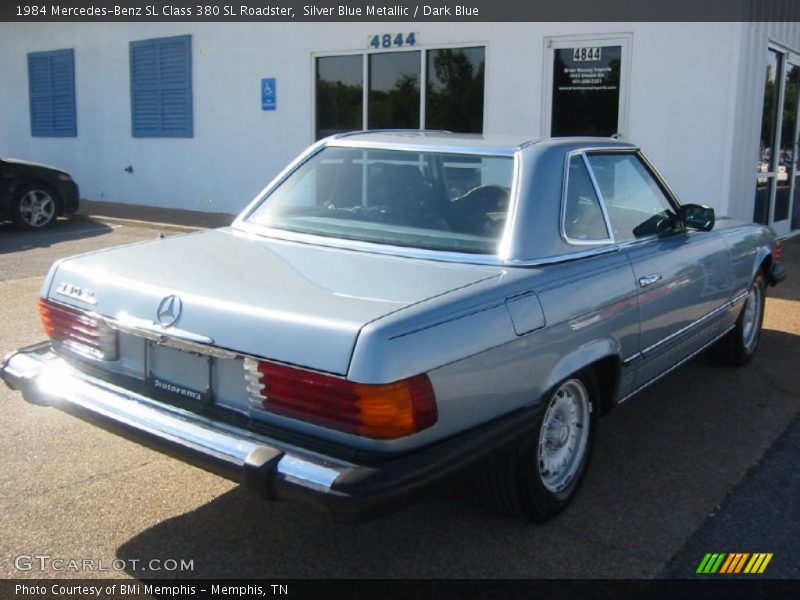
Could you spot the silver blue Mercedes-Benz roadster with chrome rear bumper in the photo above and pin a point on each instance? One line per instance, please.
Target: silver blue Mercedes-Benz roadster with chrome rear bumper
(397, 307)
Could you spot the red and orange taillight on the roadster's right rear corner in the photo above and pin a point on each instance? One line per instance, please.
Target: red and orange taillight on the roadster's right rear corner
(384, 411)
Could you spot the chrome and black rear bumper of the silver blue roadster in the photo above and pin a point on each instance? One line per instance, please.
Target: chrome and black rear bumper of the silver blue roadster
(270, 468)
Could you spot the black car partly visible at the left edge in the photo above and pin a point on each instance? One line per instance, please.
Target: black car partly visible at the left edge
(33, 195)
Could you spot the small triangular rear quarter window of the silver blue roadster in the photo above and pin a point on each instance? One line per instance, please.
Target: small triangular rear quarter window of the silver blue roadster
(583, 217)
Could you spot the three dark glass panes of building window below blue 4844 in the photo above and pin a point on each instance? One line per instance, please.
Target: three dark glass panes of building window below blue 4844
(396, 94)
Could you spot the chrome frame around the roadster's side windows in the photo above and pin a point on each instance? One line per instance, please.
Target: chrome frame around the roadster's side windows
(669, 194)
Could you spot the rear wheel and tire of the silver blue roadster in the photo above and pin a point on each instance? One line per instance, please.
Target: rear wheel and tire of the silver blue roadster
(541, 476)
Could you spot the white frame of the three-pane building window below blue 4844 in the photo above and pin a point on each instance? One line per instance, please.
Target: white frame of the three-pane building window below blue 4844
(423, 49)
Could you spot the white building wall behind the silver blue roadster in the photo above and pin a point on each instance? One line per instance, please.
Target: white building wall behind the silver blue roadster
(684, 80)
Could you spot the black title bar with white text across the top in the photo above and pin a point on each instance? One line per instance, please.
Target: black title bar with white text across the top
(399, 10)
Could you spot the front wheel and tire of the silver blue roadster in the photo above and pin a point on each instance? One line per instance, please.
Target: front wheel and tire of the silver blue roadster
(738, 346)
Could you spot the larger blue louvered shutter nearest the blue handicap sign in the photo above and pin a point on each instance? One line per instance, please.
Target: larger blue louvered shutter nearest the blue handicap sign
(161, 87)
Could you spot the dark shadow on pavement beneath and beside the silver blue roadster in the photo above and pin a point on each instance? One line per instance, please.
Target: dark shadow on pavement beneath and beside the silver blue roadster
(662, 462)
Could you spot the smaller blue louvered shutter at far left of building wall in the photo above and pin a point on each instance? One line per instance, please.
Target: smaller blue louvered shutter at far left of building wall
(51, 89)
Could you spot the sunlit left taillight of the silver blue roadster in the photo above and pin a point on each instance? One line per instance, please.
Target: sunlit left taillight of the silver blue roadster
(79, 331)
